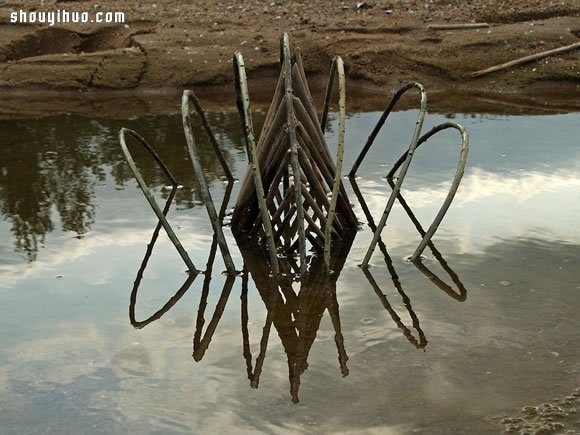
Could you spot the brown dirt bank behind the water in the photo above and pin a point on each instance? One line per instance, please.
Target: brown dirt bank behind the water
(384, 43)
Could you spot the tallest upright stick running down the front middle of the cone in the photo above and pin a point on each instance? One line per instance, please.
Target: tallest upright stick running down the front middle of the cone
(291, 120)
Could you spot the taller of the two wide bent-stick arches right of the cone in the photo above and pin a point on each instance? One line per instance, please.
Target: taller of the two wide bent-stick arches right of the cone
(406, 163)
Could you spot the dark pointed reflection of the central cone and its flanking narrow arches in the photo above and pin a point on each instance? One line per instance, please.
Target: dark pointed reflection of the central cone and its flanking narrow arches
(295, 316)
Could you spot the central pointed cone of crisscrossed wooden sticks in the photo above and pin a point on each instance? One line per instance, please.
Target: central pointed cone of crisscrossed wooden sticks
(296, 170)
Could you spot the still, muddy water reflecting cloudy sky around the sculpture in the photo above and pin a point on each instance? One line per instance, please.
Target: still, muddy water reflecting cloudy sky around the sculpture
(486, 326)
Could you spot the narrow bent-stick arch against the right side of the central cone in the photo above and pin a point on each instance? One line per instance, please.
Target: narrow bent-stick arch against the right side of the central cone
(336, 68)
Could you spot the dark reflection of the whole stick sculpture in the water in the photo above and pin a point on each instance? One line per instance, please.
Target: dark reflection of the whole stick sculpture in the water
(294, 315)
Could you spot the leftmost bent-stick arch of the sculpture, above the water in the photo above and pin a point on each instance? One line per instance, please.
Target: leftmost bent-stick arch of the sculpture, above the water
(160, 214)
